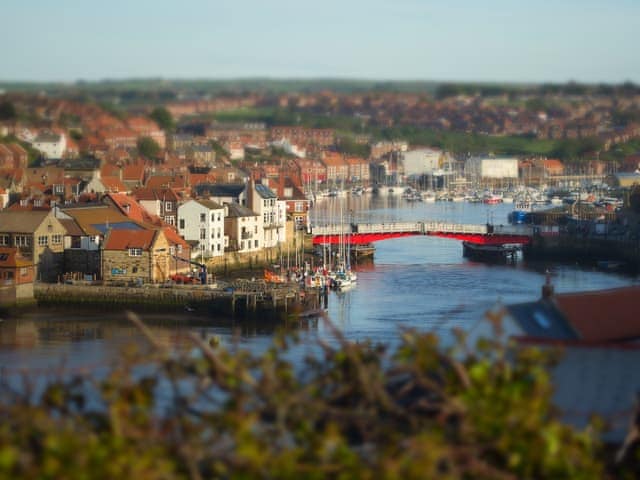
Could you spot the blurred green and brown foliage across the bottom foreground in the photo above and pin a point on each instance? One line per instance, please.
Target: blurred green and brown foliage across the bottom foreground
(353, 410)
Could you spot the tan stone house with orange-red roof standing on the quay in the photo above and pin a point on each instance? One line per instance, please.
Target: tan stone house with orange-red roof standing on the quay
(136, 256)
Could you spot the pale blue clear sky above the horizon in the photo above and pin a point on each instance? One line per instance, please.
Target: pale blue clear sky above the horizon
(528, 41)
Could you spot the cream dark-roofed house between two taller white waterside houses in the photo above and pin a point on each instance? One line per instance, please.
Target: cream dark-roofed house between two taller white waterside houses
(242, 229)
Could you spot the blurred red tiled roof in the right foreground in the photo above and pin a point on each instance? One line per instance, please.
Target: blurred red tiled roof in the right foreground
(603, 316)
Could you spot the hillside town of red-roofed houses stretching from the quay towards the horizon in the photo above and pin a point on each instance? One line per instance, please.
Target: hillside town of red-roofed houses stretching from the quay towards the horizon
(146, 195)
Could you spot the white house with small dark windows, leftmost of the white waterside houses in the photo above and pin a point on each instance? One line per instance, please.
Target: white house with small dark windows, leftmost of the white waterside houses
(202, 221)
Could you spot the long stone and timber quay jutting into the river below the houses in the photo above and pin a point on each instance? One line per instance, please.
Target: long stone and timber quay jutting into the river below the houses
(240, 299)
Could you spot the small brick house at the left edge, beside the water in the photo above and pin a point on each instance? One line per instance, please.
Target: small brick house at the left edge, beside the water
(16, 277)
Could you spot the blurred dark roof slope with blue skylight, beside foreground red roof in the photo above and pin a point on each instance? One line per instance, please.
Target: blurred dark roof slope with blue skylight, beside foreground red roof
(542, 319)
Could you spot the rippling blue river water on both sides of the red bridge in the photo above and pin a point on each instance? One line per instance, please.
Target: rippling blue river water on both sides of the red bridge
(418, 282)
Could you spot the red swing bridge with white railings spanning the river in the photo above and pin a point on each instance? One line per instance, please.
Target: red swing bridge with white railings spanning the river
(365, 233)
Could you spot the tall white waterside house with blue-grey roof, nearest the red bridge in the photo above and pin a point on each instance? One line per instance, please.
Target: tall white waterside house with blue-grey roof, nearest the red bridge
(272, 213)
